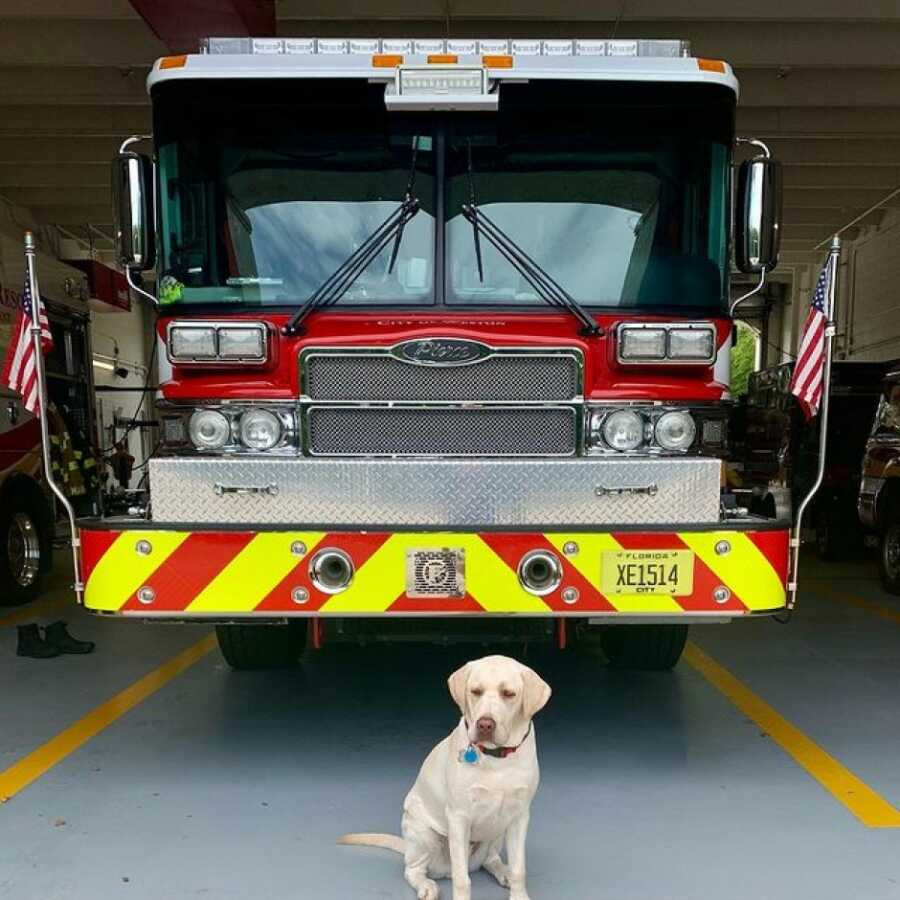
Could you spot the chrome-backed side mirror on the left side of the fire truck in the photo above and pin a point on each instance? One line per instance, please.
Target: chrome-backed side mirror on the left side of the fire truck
(132, 193)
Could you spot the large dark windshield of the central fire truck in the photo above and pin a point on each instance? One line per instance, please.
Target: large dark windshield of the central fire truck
(617, 190)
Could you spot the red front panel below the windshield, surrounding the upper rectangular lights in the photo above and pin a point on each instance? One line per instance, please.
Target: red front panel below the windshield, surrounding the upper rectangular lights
(604, 377)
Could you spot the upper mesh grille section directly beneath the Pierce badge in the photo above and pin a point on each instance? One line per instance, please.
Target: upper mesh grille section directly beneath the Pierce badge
(506, 376)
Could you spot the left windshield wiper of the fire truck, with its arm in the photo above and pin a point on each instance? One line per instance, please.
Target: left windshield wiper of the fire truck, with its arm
(338, 283)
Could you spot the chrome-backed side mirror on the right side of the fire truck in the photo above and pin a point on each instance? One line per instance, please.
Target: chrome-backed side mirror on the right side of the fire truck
(757, 221)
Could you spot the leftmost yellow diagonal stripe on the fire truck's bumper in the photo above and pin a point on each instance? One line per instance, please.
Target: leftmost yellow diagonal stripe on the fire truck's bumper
(121, 571)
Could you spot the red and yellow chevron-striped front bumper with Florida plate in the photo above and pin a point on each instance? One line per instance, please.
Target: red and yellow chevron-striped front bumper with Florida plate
(180, 574)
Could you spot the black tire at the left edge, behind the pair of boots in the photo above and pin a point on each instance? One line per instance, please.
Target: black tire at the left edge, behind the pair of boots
(22, 548)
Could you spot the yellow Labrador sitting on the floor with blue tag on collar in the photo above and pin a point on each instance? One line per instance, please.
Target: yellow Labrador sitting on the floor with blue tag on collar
(475, 788)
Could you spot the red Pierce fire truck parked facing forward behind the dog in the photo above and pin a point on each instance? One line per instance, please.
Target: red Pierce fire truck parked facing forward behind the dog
(443, 340)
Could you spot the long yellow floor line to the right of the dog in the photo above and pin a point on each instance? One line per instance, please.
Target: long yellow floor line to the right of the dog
(869, 807)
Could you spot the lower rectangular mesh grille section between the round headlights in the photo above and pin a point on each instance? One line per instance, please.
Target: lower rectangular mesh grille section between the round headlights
(441, 431)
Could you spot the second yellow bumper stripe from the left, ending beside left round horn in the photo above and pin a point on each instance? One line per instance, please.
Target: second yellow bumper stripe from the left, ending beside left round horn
(253, 573)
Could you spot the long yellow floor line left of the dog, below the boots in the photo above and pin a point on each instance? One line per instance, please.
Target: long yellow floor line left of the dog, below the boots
(19, 775)
